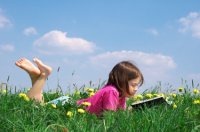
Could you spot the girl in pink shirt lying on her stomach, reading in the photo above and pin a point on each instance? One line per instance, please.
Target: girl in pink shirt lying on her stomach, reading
(123, 82)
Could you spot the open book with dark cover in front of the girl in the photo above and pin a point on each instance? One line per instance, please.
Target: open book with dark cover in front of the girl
(149, 102)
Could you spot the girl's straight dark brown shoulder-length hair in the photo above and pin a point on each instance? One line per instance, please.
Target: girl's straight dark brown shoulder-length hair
(122, 73)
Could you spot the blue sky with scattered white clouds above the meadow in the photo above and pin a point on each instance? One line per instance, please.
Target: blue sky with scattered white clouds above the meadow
(85, 39)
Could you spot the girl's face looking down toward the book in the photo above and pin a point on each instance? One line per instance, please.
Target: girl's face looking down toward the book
(133, 86)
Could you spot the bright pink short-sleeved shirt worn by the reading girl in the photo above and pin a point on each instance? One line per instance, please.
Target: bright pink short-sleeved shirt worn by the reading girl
(106, 98)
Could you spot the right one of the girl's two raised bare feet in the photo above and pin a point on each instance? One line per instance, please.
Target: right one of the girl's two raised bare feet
(44, 69)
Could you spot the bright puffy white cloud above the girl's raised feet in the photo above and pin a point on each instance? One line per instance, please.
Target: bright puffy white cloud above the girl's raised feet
(57, 42)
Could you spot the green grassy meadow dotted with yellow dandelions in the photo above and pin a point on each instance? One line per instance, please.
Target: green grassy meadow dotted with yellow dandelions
(20, 114)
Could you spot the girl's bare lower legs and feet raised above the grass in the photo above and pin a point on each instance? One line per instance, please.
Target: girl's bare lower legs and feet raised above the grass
(38, 76)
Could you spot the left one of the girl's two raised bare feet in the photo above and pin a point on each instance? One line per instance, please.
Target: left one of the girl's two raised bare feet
(29, 67)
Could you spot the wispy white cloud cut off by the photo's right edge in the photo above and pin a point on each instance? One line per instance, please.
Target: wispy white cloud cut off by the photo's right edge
(191, 23)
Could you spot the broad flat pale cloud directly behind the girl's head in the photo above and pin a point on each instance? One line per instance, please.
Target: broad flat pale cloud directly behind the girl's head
(155, 67)
